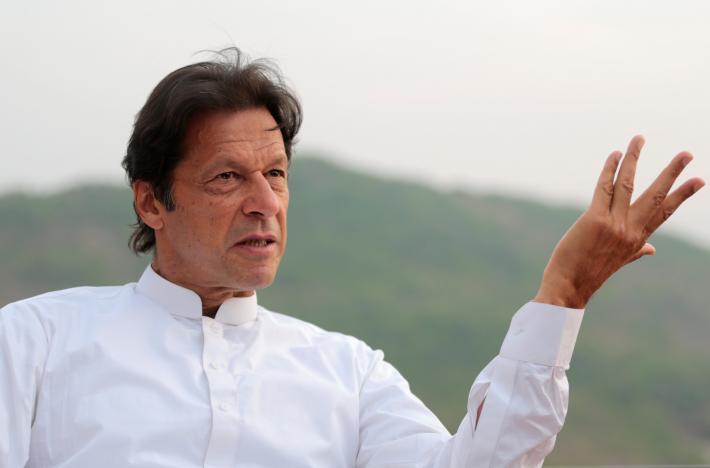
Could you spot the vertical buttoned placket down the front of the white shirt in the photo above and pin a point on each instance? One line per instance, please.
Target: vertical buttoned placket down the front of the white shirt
(223, 393)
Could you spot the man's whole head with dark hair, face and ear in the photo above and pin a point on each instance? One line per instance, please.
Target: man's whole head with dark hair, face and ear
(208, 161)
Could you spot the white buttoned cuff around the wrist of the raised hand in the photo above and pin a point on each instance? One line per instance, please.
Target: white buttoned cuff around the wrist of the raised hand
(542, 334)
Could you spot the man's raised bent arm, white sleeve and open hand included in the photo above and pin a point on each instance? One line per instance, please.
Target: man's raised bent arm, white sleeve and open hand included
(519, 401)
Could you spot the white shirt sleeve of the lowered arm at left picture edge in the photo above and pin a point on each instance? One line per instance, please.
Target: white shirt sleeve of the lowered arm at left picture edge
(23, 350)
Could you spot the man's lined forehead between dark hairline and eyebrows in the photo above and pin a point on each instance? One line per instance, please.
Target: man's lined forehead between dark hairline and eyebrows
(245, 136)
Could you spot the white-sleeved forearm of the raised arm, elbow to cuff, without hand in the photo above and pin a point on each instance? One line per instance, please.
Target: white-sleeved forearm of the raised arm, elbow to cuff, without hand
(526, 403)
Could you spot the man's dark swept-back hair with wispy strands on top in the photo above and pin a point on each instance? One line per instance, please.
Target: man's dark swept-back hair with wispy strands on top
(230, 82)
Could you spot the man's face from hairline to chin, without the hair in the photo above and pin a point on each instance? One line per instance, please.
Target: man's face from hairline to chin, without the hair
(228, 229)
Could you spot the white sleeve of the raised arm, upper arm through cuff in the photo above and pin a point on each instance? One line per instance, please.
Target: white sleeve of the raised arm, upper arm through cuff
(523, 390)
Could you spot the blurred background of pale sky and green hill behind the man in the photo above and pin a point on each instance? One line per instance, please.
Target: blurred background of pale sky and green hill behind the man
(446, 148)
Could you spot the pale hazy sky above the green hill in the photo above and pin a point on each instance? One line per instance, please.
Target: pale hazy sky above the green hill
(518, 97)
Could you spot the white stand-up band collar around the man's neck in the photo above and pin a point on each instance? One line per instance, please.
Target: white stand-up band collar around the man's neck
(186, 303)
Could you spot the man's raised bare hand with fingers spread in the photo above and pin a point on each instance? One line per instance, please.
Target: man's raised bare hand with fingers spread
(613, 231)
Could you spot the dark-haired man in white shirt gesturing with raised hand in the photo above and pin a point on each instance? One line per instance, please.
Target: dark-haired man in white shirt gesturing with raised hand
(183, 368)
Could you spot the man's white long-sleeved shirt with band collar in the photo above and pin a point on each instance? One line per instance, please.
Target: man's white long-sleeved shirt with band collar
(135, 376)
